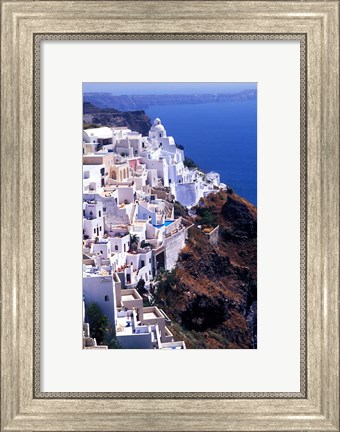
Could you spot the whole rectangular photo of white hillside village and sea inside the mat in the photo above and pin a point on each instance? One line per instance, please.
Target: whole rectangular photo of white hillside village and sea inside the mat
(151, 213)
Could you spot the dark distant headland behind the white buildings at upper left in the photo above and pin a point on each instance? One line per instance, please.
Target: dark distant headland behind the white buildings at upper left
(134, 120)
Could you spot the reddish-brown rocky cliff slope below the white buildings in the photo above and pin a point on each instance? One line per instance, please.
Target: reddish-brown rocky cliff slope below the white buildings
(211, 295)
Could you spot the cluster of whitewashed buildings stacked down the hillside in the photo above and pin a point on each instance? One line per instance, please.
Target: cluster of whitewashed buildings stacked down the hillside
(130, 182)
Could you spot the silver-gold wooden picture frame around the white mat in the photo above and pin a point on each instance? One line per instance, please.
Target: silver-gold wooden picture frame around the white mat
(316, 407)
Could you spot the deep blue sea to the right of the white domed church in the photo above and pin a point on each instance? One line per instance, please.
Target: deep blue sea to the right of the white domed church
(219, 137)
